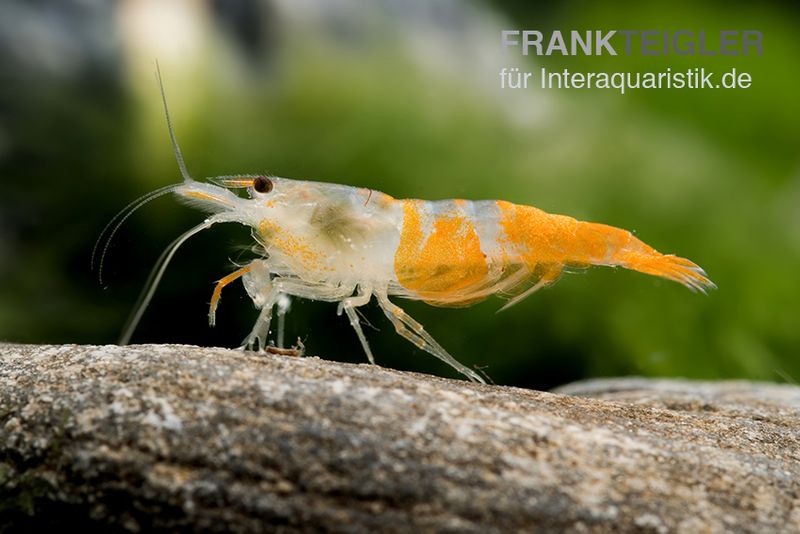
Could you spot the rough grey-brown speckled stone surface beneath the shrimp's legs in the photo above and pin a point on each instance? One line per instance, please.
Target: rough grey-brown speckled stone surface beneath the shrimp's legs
(186, 438)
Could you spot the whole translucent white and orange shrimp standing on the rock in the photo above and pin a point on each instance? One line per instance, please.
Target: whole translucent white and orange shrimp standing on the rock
(343, 244)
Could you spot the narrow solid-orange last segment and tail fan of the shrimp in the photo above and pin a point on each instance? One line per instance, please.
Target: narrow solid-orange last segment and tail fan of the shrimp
(599, 244)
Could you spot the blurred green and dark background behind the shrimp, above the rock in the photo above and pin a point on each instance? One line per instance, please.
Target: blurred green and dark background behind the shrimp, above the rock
(403, 97)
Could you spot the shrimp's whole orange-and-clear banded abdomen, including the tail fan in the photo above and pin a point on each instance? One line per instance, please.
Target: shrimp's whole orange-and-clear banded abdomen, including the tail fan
(456, 253)
